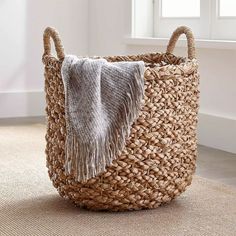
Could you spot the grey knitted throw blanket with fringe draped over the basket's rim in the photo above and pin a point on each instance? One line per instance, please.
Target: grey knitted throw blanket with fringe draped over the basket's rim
(102, 100)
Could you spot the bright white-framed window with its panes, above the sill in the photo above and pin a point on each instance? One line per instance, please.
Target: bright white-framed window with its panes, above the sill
(209, 19)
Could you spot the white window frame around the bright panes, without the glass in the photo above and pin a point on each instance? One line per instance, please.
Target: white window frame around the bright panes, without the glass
(210, 25)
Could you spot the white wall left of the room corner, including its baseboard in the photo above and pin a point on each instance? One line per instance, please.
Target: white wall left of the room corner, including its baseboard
(22, 23)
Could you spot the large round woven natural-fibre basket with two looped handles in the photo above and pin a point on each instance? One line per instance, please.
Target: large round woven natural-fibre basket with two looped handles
(158, 161)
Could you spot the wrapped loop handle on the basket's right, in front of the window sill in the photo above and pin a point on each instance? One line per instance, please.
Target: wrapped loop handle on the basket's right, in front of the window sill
(190, 41)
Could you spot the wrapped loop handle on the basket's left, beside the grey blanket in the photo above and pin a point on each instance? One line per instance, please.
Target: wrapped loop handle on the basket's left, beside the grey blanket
(52, 33)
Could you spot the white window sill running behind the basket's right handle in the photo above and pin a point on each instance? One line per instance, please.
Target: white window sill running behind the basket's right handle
(200, 43)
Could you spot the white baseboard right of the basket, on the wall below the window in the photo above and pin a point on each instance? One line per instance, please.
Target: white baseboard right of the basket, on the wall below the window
(217, 132)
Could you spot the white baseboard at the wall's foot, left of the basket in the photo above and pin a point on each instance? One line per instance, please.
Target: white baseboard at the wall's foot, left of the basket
(22, 104)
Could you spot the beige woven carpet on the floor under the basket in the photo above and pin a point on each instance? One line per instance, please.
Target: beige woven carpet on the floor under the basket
(29, 205)
